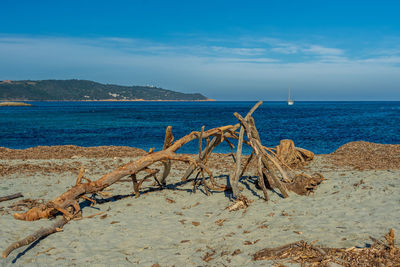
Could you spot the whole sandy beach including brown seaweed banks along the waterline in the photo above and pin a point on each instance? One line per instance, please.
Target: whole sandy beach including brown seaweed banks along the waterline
(176, 227)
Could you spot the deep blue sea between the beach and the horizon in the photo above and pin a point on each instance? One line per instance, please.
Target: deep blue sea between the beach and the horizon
(318, 126)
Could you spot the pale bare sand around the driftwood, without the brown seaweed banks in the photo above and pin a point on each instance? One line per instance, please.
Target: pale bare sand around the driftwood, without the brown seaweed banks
(151, 230)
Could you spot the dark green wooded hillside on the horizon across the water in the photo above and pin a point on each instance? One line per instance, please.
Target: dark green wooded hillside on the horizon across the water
(85, 90)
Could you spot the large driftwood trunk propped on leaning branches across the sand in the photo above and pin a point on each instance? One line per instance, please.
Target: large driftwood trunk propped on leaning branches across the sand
(270, 168)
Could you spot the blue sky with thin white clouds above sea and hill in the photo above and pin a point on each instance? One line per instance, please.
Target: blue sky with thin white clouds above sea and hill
(226, 50)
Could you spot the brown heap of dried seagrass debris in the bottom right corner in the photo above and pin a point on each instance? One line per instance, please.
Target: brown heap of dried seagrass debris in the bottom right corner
(380, 253)
